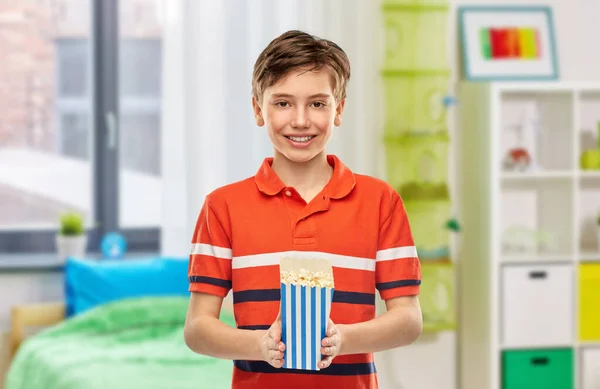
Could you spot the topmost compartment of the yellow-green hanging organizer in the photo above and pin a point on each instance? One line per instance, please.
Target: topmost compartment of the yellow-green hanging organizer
(415, 36)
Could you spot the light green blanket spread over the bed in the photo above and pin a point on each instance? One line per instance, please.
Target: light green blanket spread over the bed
(129, 344)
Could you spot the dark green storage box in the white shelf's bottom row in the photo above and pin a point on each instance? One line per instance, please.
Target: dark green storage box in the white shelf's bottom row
(538, 369)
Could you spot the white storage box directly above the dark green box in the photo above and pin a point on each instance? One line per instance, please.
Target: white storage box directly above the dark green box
(537, 305)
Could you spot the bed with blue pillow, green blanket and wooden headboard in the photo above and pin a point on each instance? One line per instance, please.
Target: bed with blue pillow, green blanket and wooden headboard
(106, 338)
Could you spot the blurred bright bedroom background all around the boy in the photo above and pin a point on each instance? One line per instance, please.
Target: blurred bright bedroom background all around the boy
(117, 117)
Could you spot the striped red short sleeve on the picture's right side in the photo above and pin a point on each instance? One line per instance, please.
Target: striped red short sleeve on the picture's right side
(397, 268)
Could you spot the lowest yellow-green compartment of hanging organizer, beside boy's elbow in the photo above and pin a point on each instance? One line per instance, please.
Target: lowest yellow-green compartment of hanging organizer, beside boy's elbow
(437, 297)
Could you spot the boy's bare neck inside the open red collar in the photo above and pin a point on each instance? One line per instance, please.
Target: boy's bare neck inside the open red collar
(308, 178)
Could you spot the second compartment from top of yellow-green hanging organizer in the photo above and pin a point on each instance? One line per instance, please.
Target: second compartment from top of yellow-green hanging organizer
(414, 102)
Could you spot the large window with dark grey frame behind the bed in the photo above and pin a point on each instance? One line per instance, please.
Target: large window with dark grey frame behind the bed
(81, 86)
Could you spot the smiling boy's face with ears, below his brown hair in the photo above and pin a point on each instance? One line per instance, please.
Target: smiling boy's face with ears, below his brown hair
(299, 113)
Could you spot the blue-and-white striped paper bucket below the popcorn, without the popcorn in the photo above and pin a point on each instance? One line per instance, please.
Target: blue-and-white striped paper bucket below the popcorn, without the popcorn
(304, 315)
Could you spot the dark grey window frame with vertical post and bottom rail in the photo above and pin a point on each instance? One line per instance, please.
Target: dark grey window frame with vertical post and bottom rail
(105, 111)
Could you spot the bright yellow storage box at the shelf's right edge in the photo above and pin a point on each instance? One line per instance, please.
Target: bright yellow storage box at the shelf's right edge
(589, 302)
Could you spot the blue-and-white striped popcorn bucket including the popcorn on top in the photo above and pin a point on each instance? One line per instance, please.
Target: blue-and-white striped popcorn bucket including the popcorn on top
(306, 295)
